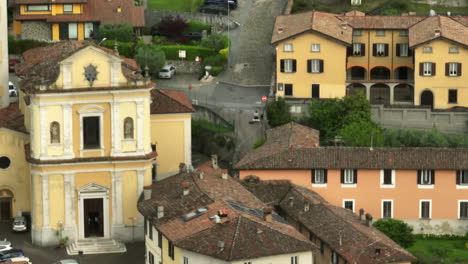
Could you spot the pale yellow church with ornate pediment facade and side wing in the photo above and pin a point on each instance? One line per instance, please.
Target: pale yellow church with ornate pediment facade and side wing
(81, 144)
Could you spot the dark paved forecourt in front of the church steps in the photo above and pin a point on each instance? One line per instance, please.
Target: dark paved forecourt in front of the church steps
(47, 255)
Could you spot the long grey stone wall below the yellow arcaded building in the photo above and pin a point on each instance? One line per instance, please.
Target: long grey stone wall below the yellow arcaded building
(420, 118)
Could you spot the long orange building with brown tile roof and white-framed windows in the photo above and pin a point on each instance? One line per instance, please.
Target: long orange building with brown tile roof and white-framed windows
(425, 187)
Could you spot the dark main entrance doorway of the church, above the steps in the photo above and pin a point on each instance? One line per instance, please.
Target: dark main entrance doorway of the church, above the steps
(93, 217)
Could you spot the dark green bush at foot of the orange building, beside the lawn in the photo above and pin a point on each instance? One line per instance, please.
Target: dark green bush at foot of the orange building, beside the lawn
(397, 230)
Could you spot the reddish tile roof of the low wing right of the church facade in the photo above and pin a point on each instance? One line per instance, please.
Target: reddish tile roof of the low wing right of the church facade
(170, 101)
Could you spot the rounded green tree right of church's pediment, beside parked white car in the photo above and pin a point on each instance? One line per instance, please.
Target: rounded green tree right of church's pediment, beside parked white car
(150, 55)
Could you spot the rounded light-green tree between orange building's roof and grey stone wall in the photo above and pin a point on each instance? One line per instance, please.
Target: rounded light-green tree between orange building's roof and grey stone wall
(362, 134)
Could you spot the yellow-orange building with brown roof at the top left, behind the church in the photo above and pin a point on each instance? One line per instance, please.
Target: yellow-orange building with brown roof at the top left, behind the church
(76, 19)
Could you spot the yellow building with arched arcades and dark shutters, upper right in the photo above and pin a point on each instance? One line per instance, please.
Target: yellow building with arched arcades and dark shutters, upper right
(323, 55)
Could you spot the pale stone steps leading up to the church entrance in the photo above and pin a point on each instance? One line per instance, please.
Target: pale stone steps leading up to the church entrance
(96, 246)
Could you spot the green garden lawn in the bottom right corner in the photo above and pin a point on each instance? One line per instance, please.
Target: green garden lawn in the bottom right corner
(456, 252)
